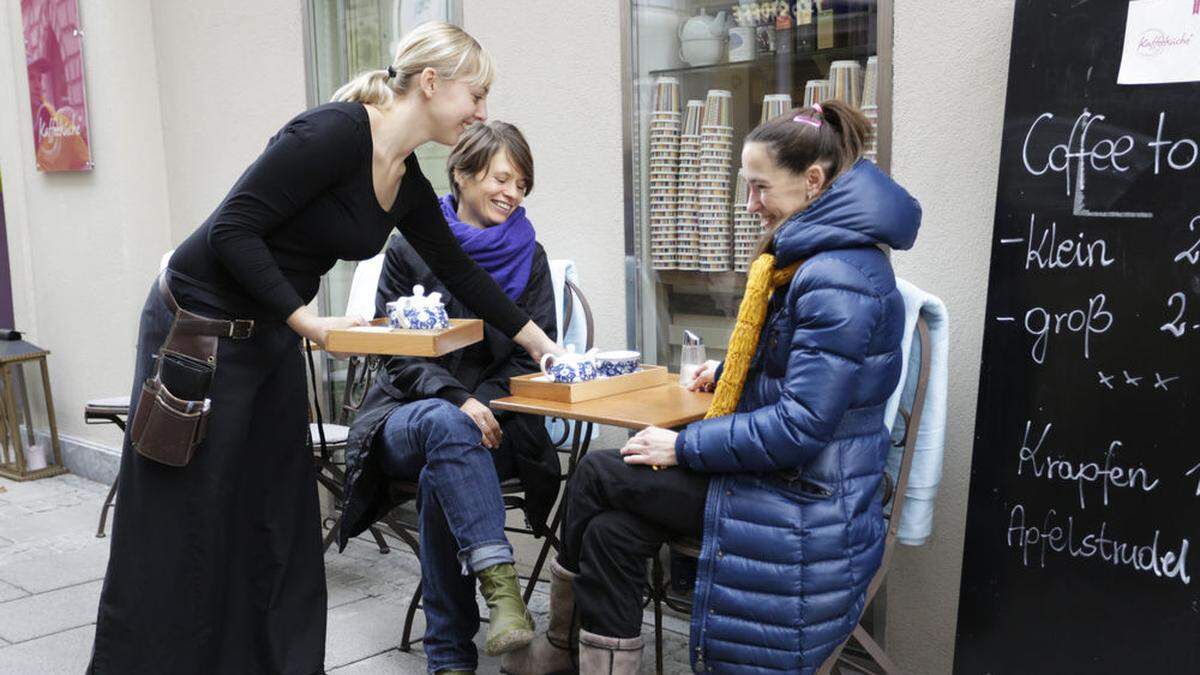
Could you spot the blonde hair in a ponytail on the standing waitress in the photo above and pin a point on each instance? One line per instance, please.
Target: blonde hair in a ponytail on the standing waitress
(443, 47)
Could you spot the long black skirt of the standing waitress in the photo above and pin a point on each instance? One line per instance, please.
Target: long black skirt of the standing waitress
(218, 566)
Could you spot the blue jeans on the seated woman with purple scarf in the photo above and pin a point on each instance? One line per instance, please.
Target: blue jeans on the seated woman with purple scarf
(461, 519)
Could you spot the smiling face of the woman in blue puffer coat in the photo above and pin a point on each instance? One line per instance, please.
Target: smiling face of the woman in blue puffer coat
(776, 192)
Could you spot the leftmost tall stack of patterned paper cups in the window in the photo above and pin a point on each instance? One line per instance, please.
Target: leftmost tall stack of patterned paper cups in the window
(665, 123)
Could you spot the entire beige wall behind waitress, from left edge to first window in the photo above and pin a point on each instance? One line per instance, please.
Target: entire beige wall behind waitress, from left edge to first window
(181, 98)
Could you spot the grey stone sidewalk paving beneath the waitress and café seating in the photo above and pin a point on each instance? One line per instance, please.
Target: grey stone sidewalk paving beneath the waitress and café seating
(52, 566)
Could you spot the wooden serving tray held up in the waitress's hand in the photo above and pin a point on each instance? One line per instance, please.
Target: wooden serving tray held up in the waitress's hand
(381, 339)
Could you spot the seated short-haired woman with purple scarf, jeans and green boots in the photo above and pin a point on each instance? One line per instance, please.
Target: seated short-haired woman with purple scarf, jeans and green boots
(428, 420)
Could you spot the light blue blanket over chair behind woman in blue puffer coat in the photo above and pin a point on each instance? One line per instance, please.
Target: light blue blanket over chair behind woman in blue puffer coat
(917, 521)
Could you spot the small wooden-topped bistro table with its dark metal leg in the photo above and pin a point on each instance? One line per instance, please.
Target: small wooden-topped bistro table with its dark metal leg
(667, 405)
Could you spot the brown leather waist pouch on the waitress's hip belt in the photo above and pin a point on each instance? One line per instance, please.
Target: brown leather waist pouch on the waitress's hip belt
(173, 408)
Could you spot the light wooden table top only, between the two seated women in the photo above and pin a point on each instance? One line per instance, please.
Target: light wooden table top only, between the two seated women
(667, 405)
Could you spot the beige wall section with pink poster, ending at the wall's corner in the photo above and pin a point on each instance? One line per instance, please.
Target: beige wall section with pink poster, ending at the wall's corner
(83, 247)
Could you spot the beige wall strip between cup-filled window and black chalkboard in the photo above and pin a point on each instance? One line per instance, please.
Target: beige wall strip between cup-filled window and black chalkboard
(951, 74)
